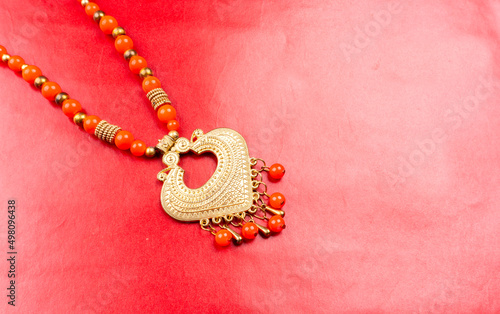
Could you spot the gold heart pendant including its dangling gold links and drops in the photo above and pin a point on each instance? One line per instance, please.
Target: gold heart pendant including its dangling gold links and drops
(235, 193)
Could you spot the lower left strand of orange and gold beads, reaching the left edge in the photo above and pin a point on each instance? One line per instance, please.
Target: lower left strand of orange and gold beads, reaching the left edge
(72, 108)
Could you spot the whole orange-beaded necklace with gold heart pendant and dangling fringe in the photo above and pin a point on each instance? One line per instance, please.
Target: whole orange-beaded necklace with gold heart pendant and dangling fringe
(234, 198)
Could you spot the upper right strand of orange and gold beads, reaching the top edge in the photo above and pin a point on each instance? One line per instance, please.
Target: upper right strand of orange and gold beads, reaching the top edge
(137, 64)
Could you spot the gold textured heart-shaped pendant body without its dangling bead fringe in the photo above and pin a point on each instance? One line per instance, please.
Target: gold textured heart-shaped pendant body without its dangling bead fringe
(229, 191)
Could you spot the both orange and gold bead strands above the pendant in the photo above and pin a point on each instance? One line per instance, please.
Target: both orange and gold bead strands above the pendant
(72, 108)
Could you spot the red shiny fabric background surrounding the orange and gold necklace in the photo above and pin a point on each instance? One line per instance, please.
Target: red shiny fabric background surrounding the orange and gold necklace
(386, 118)
